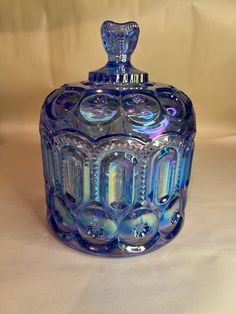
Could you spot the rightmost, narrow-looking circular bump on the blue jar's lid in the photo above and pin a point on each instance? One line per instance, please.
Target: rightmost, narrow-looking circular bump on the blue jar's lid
(173, 106)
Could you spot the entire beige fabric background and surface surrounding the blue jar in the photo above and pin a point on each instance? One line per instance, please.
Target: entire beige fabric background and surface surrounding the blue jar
(190, 44)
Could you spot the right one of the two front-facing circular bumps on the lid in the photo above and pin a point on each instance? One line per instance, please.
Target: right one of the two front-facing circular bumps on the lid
(141, 109)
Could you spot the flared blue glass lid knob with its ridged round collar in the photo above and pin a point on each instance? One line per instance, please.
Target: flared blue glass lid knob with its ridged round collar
(119, 41)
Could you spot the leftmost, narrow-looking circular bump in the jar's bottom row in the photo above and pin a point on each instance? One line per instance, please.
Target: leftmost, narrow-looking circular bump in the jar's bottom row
(63, 220)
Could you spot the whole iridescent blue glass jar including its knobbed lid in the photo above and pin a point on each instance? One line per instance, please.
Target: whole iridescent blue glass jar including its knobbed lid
(117, 152)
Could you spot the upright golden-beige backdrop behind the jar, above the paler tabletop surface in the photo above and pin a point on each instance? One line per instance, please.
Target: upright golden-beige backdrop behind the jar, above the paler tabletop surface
(190, 44)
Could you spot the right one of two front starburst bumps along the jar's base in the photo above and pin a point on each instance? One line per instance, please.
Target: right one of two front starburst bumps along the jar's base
(137, 230)
